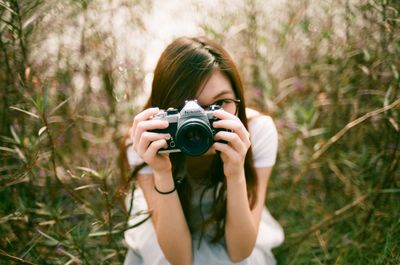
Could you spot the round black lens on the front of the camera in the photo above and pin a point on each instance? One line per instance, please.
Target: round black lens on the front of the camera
(194, 137)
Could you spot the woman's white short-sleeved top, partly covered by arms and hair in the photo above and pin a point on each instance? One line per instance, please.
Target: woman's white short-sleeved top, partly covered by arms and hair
(142, 241)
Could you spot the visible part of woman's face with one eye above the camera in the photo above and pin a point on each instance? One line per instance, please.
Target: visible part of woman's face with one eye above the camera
(218, 90)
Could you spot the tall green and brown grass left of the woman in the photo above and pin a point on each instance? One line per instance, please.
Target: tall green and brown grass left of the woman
(64, 87)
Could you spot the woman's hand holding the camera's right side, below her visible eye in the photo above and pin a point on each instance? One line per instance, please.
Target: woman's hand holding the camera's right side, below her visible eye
(233, 153)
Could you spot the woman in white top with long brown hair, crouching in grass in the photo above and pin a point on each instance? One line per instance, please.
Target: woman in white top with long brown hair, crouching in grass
(207, 209)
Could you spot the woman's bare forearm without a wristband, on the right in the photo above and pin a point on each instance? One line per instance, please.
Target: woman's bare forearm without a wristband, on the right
(240, 229)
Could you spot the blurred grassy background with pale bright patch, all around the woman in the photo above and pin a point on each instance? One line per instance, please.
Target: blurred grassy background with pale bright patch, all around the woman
(74, 73)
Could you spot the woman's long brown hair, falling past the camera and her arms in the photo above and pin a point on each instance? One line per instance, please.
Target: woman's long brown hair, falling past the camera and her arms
(182, 70)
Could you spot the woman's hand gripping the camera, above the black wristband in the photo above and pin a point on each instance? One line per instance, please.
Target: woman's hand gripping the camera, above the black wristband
(147, 144)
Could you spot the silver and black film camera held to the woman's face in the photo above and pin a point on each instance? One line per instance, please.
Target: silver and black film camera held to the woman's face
(191, 129)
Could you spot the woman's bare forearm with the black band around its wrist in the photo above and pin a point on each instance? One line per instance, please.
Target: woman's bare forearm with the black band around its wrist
(170, 224)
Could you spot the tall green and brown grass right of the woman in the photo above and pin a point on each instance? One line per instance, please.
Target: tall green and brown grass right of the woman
(332, 77)
